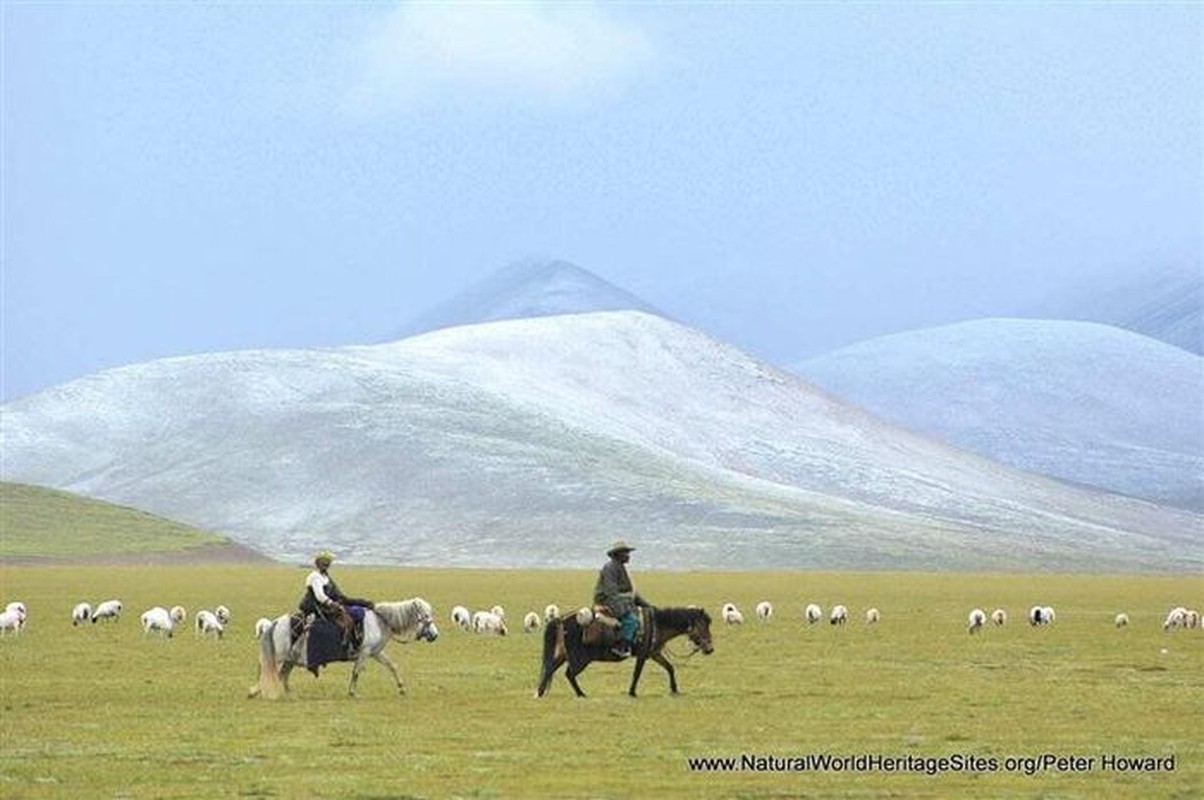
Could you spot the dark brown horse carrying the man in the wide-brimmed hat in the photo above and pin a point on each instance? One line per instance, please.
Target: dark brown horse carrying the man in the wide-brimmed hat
(563, 643)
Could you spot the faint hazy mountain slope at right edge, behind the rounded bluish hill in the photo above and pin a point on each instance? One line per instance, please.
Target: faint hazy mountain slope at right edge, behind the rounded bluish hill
(1167, 305)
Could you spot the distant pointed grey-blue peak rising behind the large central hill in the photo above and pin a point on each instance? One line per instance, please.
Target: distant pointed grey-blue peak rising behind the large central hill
(524, 291)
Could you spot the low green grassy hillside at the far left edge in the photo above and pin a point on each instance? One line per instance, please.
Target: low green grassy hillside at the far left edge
(43, 523)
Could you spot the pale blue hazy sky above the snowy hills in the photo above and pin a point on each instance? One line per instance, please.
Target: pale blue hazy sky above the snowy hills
(179, 179)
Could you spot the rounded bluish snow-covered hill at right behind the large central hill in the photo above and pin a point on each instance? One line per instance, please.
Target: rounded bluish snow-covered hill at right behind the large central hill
(1081, 402)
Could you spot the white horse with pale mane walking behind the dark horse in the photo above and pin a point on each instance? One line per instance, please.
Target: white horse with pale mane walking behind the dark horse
(404, 620)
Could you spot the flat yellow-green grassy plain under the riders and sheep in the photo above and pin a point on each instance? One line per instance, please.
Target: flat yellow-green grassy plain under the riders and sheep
(105, 713)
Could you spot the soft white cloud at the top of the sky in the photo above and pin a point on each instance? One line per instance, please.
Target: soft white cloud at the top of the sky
(542, 52)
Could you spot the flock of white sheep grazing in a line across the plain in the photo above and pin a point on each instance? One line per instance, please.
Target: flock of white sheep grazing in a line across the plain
(493, 623)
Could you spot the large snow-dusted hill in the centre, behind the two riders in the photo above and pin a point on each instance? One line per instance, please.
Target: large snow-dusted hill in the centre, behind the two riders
(539, 442)
